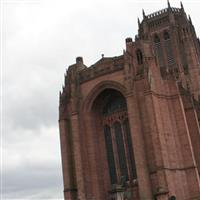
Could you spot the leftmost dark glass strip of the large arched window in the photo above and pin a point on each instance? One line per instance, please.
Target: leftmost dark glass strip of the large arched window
(110, 155)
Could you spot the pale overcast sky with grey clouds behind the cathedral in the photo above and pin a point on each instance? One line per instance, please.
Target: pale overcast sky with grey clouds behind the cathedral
(40, 38)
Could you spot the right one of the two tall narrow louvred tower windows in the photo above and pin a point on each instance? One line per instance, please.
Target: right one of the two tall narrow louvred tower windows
(168, 48)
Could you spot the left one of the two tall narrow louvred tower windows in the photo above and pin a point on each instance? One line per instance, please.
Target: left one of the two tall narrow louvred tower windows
(158, 51)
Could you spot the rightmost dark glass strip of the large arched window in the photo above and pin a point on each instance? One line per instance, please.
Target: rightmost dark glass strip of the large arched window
(130, 148)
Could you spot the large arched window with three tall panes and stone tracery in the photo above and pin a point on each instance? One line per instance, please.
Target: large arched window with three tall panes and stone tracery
(117, 135)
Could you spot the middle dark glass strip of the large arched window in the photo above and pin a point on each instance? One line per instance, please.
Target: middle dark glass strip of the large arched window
(121, 150)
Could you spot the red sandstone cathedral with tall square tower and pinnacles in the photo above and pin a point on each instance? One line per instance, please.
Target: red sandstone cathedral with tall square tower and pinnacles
(130, 124)
